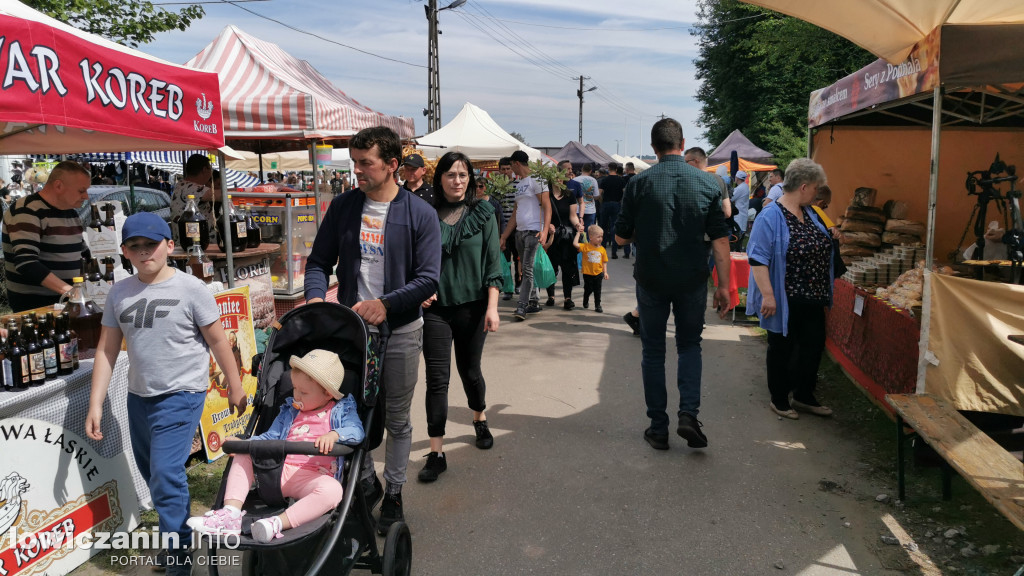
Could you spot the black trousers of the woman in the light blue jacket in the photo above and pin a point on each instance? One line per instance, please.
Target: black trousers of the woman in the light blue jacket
(793, 360)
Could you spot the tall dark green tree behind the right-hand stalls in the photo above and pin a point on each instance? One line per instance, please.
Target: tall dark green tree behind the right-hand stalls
(758, 69)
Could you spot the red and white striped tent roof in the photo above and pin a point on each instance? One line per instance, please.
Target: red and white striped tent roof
(269, 94)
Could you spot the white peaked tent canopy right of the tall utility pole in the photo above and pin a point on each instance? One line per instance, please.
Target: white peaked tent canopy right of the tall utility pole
(475, 134)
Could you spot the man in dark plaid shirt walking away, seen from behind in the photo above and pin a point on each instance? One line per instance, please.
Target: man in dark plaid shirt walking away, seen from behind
(666, 212)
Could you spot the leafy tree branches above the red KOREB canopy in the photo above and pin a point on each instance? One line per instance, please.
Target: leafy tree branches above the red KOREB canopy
(127, 22)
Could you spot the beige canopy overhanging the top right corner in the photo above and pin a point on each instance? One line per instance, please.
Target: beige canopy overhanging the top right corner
(889, 29)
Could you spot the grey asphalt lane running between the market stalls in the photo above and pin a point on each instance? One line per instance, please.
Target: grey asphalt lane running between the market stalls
(571, 487)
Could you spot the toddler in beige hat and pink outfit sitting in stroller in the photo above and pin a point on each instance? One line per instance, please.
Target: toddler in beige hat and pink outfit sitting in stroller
(316, 414)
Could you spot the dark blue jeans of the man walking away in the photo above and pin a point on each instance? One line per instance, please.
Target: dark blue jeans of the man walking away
(689, 312)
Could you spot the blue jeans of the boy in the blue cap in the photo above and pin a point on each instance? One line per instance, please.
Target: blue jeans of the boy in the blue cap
(162, 429)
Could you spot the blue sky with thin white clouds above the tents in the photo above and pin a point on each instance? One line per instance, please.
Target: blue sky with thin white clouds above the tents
(641, 56)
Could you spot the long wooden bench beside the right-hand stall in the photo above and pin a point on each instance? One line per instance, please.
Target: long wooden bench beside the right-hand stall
(983, 463)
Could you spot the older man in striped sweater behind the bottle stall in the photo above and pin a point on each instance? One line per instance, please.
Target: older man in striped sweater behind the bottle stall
(42, 239)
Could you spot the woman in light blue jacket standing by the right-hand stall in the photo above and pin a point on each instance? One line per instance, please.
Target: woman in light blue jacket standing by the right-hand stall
(791, 285)
